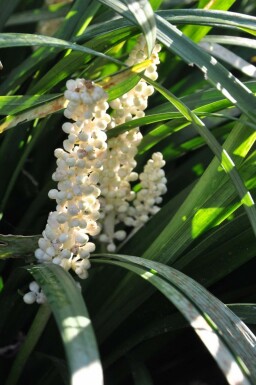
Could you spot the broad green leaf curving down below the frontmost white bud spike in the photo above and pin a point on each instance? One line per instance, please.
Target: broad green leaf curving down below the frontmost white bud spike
(73, 322)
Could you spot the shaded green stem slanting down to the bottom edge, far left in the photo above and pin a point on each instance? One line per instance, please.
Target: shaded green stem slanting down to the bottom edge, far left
(30, 342)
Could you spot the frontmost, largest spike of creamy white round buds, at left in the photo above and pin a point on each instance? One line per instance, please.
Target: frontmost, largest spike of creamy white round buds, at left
(65, 240)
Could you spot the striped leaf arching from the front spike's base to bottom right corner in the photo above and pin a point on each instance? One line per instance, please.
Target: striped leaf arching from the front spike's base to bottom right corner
(226, 337)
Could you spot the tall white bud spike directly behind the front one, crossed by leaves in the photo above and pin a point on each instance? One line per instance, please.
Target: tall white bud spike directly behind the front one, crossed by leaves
(116, 191)
